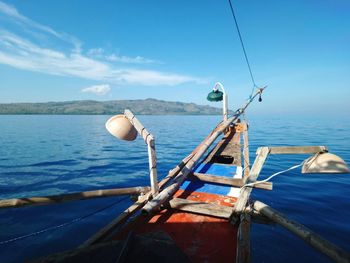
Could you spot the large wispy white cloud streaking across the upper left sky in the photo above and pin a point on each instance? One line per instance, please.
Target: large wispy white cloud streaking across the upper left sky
(33, 46)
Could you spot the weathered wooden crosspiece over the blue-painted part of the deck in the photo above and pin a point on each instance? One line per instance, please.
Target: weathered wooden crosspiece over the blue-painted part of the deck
(228, 181)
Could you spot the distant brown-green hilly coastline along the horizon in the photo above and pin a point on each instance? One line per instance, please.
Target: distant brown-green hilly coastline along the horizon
(144, 107)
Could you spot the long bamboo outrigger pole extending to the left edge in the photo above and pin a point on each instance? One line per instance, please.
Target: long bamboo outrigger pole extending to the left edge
(44, 200)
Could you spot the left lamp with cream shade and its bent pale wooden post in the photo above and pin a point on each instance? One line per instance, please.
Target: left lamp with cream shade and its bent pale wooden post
(125, 127)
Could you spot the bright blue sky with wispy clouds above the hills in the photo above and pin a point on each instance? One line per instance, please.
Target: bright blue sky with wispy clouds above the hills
(177, 50)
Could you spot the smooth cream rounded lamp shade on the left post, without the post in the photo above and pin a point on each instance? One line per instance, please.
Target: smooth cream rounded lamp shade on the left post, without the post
(120, 127)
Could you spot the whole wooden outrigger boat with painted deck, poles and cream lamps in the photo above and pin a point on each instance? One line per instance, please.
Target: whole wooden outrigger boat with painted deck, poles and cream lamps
(201, 211)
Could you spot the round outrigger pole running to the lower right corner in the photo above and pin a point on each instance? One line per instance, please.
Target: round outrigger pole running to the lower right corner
(313, 239)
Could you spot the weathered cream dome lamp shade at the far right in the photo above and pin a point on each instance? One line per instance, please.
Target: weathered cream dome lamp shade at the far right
(325, 163)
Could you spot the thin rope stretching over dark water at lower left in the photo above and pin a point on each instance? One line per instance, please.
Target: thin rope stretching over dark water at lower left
(52, 228)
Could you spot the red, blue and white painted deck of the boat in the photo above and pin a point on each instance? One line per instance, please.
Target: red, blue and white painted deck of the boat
(197, 216)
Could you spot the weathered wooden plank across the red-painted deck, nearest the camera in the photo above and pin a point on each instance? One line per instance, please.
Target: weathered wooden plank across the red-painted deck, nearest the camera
(200, 208)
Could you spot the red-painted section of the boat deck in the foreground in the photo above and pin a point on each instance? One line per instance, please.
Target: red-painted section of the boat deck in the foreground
(202, 238)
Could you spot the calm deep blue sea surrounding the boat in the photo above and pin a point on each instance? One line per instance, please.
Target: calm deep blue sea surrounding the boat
(47, 155)
